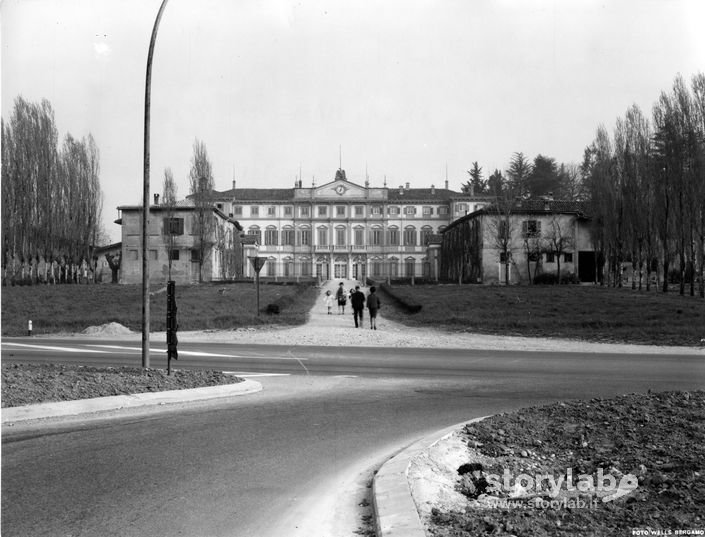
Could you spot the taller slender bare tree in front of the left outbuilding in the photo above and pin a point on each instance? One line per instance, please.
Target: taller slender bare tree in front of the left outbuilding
(201, 185)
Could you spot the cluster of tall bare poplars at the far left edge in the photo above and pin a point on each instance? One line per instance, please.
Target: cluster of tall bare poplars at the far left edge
(51, 196)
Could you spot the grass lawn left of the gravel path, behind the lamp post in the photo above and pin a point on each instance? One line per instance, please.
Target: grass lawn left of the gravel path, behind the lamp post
(73, 308)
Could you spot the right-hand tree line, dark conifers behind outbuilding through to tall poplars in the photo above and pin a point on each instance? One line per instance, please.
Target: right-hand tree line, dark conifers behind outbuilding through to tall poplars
(644, 184)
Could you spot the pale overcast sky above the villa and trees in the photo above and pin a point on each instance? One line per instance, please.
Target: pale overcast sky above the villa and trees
(406, 88)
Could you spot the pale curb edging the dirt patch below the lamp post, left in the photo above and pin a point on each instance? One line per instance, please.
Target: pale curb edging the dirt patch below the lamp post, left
(117, 402)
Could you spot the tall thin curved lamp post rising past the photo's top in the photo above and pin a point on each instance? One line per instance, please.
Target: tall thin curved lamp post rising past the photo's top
(145, 193)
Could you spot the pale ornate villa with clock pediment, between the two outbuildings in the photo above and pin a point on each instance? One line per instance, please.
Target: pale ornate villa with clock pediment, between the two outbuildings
(342, 230)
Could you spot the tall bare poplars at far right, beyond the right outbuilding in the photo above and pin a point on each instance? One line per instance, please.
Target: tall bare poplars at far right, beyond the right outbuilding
(646, 184)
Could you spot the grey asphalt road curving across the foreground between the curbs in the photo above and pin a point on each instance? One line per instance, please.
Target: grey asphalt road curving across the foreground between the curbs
(257, 465)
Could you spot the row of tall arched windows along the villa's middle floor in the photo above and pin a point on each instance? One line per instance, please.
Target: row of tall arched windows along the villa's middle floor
(375, 236)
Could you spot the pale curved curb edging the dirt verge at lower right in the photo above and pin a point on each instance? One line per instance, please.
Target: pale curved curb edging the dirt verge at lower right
(395, 510)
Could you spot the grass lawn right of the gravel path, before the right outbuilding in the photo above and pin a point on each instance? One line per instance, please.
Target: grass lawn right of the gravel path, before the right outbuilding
(565, 311)
